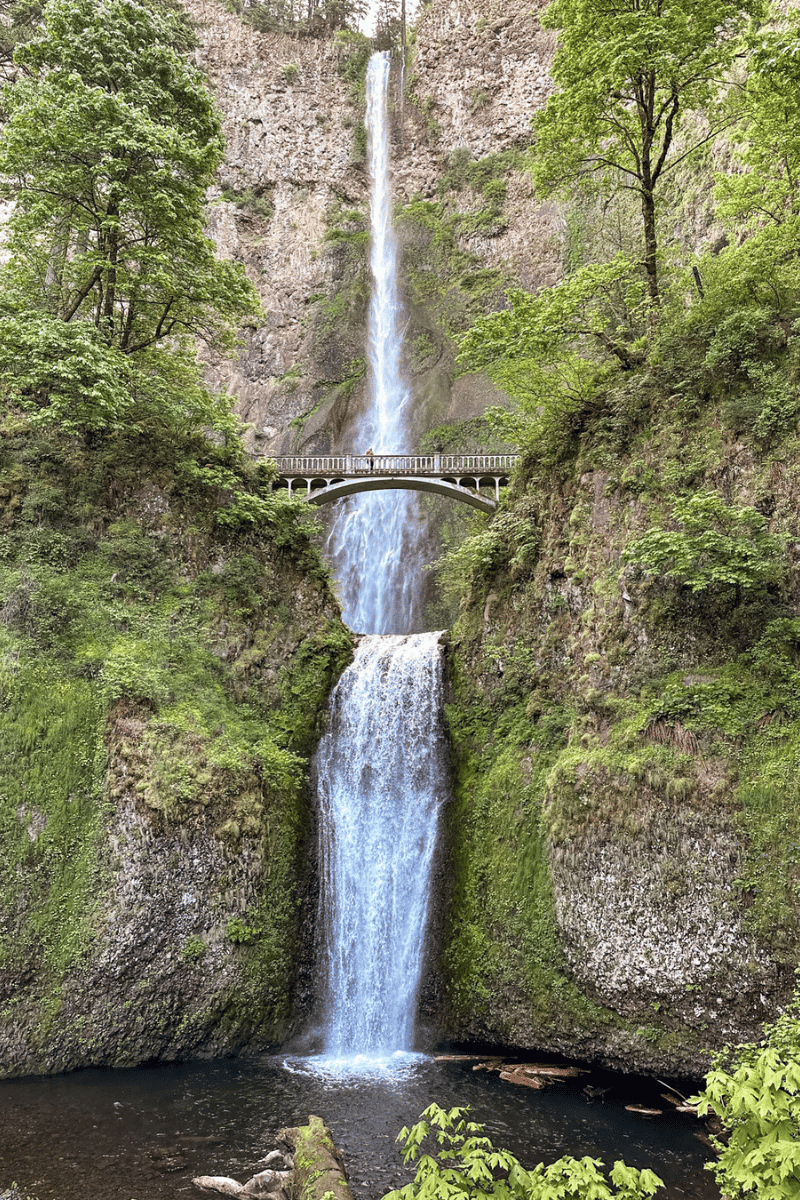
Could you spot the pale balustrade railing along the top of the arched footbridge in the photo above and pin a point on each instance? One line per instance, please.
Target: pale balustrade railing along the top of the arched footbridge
(395, 465)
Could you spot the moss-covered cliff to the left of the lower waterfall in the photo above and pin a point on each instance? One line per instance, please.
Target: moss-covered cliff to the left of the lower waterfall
(164, 669)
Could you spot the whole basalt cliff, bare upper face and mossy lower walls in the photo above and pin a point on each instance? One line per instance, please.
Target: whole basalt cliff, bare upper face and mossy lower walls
(619, 880)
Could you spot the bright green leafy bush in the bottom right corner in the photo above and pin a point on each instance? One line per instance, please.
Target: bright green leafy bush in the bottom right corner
(757, 1099)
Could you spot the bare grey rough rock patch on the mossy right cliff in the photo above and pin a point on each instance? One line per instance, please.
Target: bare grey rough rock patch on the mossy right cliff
(658, 921)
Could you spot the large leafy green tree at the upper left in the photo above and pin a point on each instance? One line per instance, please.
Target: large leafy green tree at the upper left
(111, 145)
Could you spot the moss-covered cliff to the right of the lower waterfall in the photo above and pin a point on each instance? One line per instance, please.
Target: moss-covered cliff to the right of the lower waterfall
(625, 833)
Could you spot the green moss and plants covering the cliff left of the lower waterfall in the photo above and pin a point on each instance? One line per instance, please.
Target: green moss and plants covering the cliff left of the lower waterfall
(220, 645)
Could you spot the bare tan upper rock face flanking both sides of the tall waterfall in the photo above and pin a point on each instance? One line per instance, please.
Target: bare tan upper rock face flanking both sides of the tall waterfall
(296, 165)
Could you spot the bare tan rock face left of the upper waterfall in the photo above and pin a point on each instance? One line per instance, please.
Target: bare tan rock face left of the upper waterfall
(284, 105)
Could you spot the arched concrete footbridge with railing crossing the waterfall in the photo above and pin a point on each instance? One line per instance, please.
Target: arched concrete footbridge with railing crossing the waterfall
(467, 478)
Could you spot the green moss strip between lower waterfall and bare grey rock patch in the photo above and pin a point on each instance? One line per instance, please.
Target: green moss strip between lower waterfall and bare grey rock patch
(504, 968)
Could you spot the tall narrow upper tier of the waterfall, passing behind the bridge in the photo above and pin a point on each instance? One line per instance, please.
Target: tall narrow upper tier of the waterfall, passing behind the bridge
(375, 539)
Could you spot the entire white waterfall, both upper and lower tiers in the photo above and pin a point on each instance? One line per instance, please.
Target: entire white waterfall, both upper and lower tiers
(381, 769)
